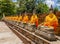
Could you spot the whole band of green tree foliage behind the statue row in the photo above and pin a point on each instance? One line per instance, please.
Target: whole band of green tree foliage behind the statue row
(9, 7)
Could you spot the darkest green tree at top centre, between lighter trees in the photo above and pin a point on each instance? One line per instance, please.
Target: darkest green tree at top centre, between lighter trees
(30, 5)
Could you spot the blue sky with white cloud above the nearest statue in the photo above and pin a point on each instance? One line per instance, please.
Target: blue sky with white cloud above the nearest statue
(54, 3)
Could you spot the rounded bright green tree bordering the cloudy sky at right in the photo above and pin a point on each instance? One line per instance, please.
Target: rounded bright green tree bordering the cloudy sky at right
(42, 8)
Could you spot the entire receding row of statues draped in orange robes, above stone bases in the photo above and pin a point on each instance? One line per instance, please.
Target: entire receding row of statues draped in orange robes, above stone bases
(50, 20)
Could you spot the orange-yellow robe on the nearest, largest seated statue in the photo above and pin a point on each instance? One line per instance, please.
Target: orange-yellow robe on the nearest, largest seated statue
(51, 21)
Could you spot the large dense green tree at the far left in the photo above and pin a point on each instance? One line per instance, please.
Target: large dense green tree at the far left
(7, 7)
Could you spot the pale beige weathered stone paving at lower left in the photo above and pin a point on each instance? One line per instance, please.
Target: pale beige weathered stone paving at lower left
(7, 36)
